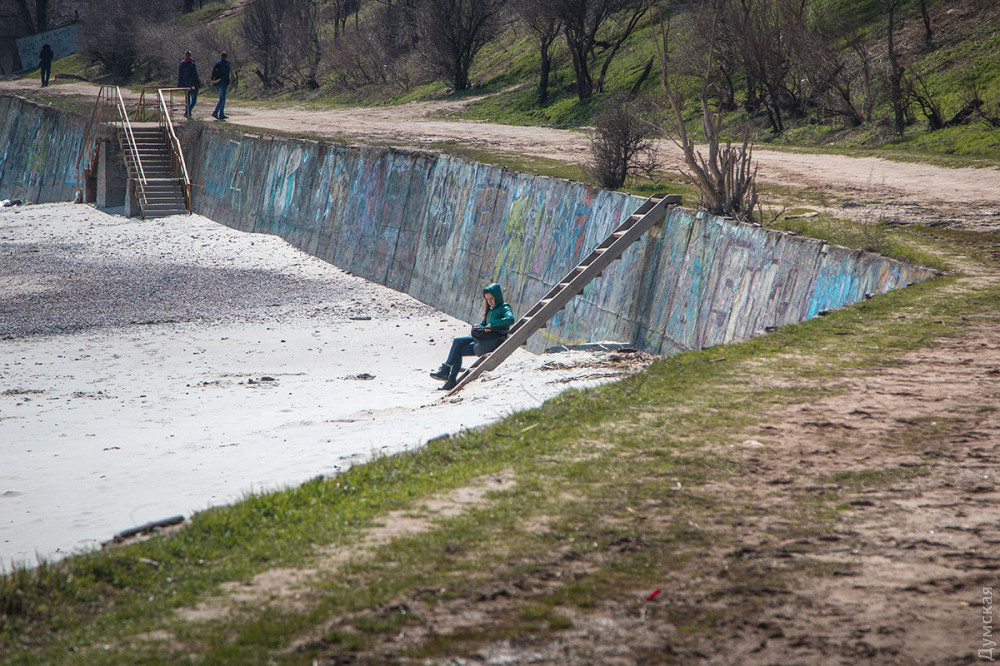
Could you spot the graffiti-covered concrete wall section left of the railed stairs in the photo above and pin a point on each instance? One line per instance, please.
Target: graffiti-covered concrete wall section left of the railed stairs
(38, 150)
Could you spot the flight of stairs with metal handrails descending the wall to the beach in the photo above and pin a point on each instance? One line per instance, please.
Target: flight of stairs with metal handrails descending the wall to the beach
(162, 192)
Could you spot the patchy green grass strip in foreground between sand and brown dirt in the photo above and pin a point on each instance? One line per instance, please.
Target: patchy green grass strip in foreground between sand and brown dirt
(604, 453)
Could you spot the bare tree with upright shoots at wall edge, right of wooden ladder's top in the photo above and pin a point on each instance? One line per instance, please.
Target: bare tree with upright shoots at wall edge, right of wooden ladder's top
(727, 177)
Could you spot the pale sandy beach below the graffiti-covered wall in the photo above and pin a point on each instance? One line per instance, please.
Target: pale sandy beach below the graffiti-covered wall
(138, 407)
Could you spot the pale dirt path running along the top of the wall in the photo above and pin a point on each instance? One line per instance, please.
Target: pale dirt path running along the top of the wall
(891, 190)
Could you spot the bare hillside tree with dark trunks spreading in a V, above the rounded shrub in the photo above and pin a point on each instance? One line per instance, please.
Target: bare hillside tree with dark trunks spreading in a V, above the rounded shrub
(583, 21)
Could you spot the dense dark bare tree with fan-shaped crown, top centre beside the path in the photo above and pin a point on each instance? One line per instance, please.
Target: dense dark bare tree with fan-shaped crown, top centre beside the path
(453, 31)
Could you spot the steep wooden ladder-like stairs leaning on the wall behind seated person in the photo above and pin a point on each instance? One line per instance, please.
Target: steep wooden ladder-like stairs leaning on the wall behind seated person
(651, 212)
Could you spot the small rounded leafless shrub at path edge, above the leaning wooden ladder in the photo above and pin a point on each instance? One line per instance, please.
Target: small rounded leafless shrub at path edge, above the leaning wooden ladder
(622, 143)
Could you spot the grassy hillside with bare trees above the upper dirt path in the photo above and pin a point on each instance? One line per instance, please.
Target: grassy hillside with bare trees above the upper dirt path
(796, 69)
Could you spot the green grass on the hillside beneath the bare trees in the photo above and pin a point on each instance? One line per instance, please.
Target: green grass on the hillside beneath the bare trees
(505, 71)
